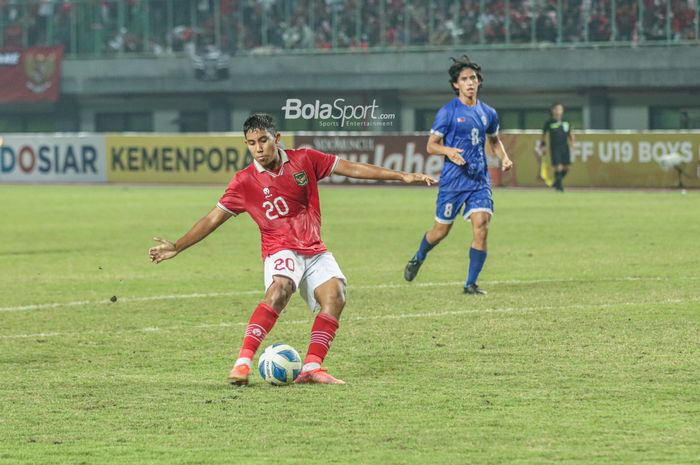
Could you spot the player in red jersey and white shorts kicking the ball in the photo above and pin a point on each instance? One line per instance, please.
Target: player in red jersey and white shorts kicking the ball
(279, 190)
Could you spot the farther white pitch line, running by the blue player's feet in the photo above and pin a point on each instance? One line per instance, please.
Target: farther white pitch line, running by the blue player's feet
(79, 303)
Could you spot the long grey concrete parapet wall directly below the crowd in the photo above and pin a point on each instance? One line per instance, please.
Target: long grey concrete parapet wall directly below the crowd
(527, 70)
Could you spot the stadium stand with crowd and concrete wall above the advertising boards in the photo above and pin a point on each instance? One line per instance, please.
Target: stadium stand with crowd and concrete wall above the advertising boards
(204, 65)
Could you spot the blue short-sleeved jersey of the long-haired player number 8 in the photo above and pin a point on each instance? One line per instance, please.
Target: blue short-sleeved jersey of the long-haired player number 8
(465, 127)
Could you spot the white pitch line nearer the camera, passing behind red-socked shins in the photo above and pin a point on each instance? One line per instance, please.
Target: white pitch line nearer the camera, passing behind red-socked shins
(351, 319)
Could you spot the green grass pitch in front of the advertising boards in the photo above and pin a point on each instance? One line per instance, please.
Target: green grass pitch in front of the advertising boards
(585, 351)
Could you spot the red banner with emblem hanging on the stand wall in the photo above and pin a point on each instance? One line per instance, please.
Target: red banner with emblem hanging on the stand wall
(30, 74)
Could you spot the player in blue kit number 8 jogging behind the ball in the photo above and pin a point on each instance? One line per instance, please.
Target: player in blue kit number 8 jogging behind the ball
(459, 133)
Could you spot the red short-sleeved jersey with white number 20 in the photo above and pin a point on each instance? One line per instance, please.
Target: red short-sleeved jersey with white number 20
(284, 204)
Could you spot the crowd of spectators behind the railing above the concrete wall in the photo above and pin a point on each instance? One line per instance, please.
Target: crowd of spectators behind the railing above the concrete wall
(165, 26)
